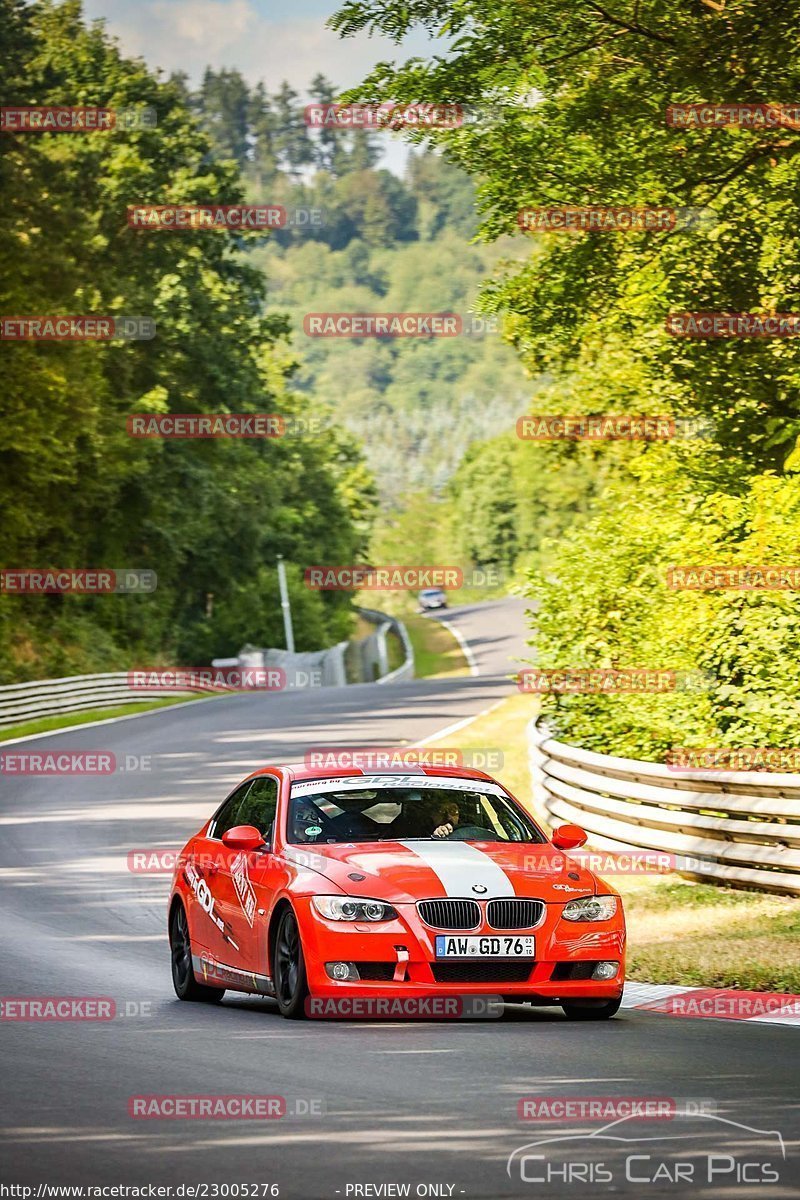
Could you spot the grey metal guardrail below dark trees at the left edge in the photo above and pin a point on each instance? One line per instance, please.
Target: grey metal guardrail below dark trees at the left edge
(50, 698)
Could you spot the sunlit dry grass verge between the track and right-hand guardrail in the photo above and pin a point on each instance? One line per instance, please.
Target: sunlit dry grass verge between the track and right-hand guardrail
(679, 932)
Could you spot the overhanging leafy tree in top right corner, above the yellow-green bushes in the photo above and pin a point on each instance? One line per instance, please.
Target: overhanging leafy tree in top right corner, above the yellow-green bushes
(572, 106)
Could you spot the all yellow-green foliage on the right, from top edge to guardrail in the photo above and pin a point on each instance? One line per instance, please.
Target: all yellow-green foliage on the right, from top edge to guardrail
(572, 105)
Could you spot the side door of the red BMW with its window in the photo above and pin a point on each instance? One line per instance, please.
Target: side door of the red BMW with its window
(246, 880)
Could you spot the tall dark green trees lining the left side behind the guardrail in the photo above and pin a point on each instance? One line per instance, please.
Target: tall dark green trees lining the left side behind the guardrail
(76, 489)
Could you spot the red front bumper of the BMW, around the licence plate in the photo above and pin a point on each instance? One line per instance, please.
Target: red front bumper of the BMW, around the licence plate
(402, 952)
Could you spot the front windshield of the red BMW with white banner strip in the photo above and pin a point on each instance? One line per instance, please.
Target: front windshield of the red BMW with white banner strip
(404, 814)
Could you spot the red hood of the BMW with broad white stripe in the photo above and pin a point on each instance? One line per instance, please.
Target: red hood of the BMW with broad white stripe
(406, 872)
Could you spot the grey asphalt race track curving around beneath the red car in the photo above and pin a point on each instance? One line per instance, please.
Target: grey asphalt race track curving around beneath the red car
(416, 1105)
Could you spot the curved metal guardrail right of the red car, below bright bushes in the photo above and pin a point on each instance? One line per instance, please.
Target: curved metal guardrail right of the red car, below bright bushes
(738, 827)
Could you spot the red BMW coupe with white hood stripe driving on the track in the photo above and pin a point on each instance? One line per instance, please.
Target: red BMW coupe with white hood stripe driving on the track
(428, 881)
